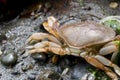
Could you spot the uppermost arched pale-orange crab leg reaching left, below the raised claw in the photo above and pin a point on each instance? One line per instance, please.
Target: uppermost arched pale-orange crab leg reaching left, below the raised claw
(42, 36)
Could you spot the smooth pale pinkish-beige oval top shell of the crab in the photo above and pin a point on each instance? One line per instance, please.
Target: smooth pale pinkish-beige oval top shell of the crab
(82, 34)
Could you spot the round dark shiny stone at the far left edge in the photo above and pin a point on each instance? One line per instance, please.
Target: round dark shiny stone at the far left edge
(9, 59)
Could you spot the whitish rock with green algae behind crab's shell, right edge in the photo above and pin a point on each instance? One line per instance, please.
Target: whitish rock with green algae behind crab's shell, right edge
(113, 22)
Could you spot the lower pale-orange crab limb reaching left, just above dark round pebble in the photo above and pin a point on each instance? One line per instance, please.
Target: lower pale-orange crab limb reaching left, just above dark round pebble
(46, 46)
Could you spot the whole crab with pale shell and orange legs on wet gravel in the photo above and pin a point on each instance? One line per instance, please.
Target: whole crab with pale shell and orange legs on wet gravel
(89, 40)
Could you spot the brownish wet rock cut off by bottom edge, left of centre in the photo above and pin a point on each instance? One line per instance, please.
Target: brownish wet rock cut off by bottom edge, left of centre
(49, 75)
